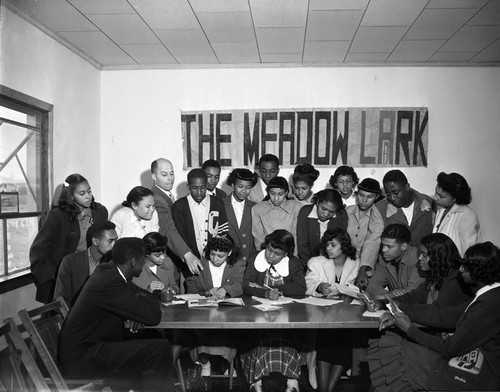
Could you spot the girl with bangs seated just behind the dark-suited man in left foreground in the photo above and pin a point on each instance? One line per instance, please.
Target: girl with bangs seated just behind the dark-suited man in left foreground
(158, 273)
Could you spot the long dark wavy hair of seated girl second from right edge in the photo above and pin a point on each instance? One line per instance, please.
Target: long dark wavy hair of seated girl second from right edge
(443, 257)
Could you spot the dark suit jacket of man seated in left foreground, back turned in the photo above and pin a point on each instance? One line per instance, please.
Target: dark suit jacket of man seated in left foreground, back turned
(104, 304)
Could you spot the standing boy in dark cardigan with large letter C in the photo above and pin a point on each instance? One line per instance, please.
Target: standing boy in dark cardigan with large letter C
(197, 216)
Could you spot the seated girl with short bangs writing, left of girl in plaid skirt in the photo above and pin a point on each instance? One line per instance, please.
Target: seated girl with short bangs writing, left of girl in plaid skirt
(221, 277)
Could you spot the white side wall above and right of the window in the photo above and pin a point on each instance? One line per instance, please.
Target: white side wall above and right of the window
(36, 65)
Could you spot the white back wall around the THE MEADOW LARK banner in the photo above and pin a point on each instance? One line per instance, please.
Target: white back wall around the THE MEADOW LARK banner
(140, 118)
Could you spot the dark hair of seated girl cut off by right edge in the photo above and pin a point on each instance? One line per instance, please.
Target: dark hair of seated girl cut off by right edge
(482, 261)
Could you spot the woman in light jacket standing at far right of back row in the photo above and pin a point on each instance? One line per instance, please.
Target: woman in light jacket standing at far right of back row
(454, 217)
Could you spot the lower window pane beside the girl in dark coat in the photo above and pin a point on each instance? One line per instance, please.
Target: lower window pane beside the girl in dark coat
(20, 234)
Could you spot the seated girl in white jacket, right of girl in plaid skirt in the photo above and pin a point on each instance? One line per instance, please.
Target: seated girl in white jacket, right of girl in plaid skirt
(337, 265)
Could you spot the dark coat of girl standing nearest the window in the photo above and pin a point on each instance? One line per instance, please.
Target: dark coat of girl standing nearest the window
(57, 238)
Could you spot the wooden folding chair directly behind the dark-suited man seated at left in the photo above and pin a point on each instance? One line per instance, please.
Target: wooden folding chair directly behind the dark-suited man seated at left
(43, 325)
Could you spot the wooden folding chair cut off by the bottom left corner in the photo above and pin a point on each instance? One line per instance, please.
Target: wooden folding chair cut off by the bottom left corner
(18, 369)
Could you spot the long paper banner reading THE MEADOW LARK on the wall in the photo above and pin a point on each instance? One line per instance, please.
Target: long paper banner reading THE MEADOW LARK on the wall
(359, 137)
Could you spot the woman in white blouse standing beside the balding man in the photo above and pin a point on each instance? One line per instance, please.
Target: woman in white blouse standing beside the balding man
(138, 216)
